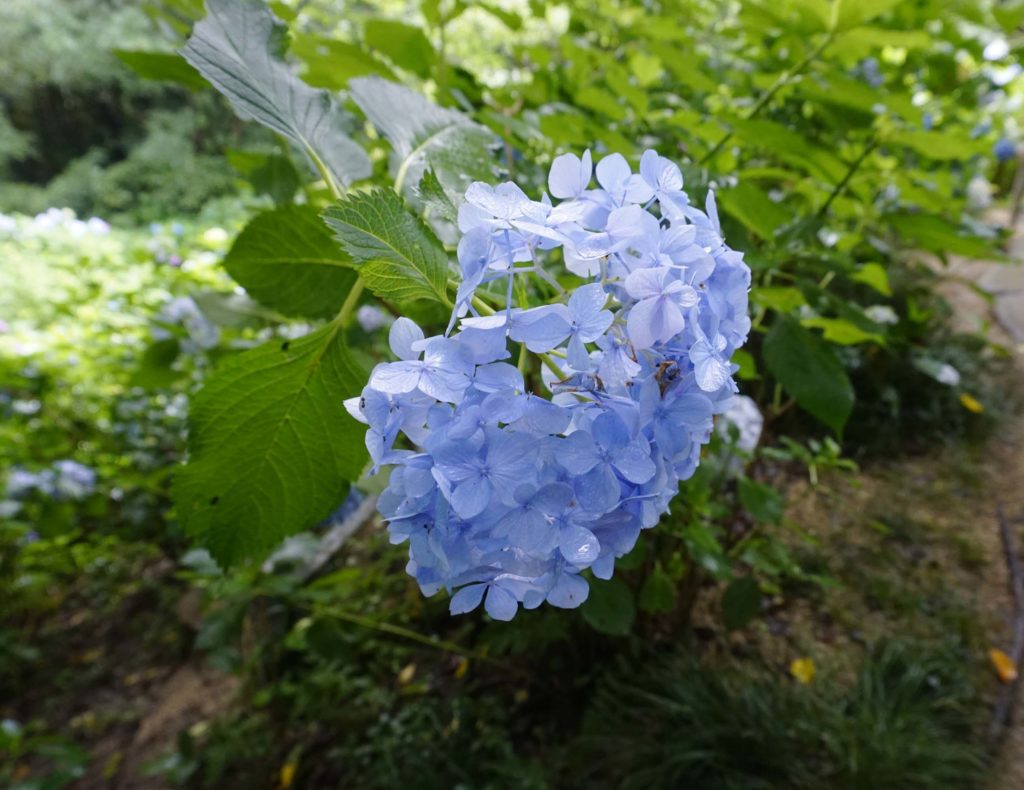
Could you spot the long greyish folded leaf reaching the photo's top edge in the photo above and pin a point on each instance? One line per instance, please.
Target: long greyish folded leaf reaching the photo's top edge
(239, 49)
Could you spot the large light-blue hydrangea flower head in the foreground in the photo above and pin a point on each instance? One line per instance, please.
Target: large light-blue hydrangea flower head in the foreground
(506, 496)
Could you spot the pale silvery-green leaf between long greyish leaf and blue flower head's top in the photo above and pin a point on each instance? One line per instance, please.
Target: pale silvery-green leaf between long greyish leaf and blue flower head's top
(423, 136)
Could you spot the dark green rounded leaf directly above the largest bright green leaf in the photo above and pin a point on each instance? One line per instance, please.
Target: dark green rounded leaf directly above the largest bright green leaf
(287, 260)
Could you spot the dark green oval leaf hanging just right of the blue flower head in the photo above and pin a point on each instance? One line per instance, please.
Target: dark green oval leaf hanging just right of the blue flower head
(808, 370)
